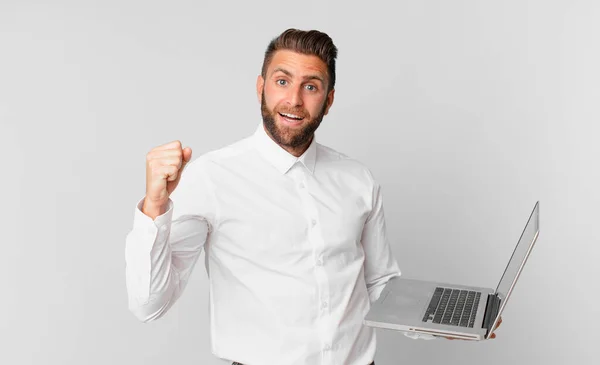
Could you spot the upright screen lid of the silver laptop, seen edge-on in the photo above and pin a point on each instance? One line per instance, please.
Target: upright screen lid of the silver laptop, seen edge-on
(520, 254)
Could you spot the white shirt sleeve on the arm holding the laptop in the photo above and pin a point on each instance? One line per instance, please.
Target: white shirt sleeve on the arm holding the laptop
(380, 264)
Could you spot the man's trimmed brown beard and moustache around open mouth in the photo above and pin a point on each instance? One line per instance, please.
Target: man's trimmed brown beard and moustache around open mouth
(286, 136)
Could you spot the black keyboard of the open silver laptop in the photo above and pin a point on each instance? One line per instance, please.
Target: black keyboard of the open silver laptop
(453, 307)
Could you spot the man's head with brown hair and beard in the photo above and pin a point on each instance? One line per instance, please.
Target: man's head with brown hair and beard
(296, 86)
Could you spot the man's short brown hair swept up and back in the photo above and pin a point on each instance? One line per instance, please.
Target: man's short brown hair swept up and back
(310, 42)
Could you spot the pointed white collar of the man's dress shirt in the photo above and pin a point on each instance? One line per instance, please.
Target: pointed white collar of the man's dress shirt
(280, 158)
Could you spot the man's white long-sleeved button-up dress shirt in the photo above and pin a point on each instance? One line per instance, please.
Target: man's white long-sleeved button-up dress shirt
(295, 252)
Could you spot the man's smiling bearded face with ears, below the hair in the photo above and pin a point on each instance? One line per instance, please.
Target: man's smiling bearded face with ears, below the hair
(294, 97)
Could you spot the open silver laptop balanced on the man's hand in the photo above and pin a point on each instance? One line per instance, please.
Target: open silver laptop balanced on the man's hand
(443, 309)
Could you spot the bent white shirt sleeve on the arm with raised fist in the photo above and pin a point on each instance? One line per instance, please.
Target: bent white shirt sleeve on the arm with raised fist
(160, 254)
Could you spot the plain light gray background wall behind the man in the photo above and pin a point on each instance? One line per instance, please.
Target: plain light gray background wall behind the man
(467, 113)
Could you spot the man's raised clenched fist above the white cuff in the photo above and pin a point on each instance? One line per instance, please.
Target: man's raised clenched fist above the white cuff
(164, 165)
